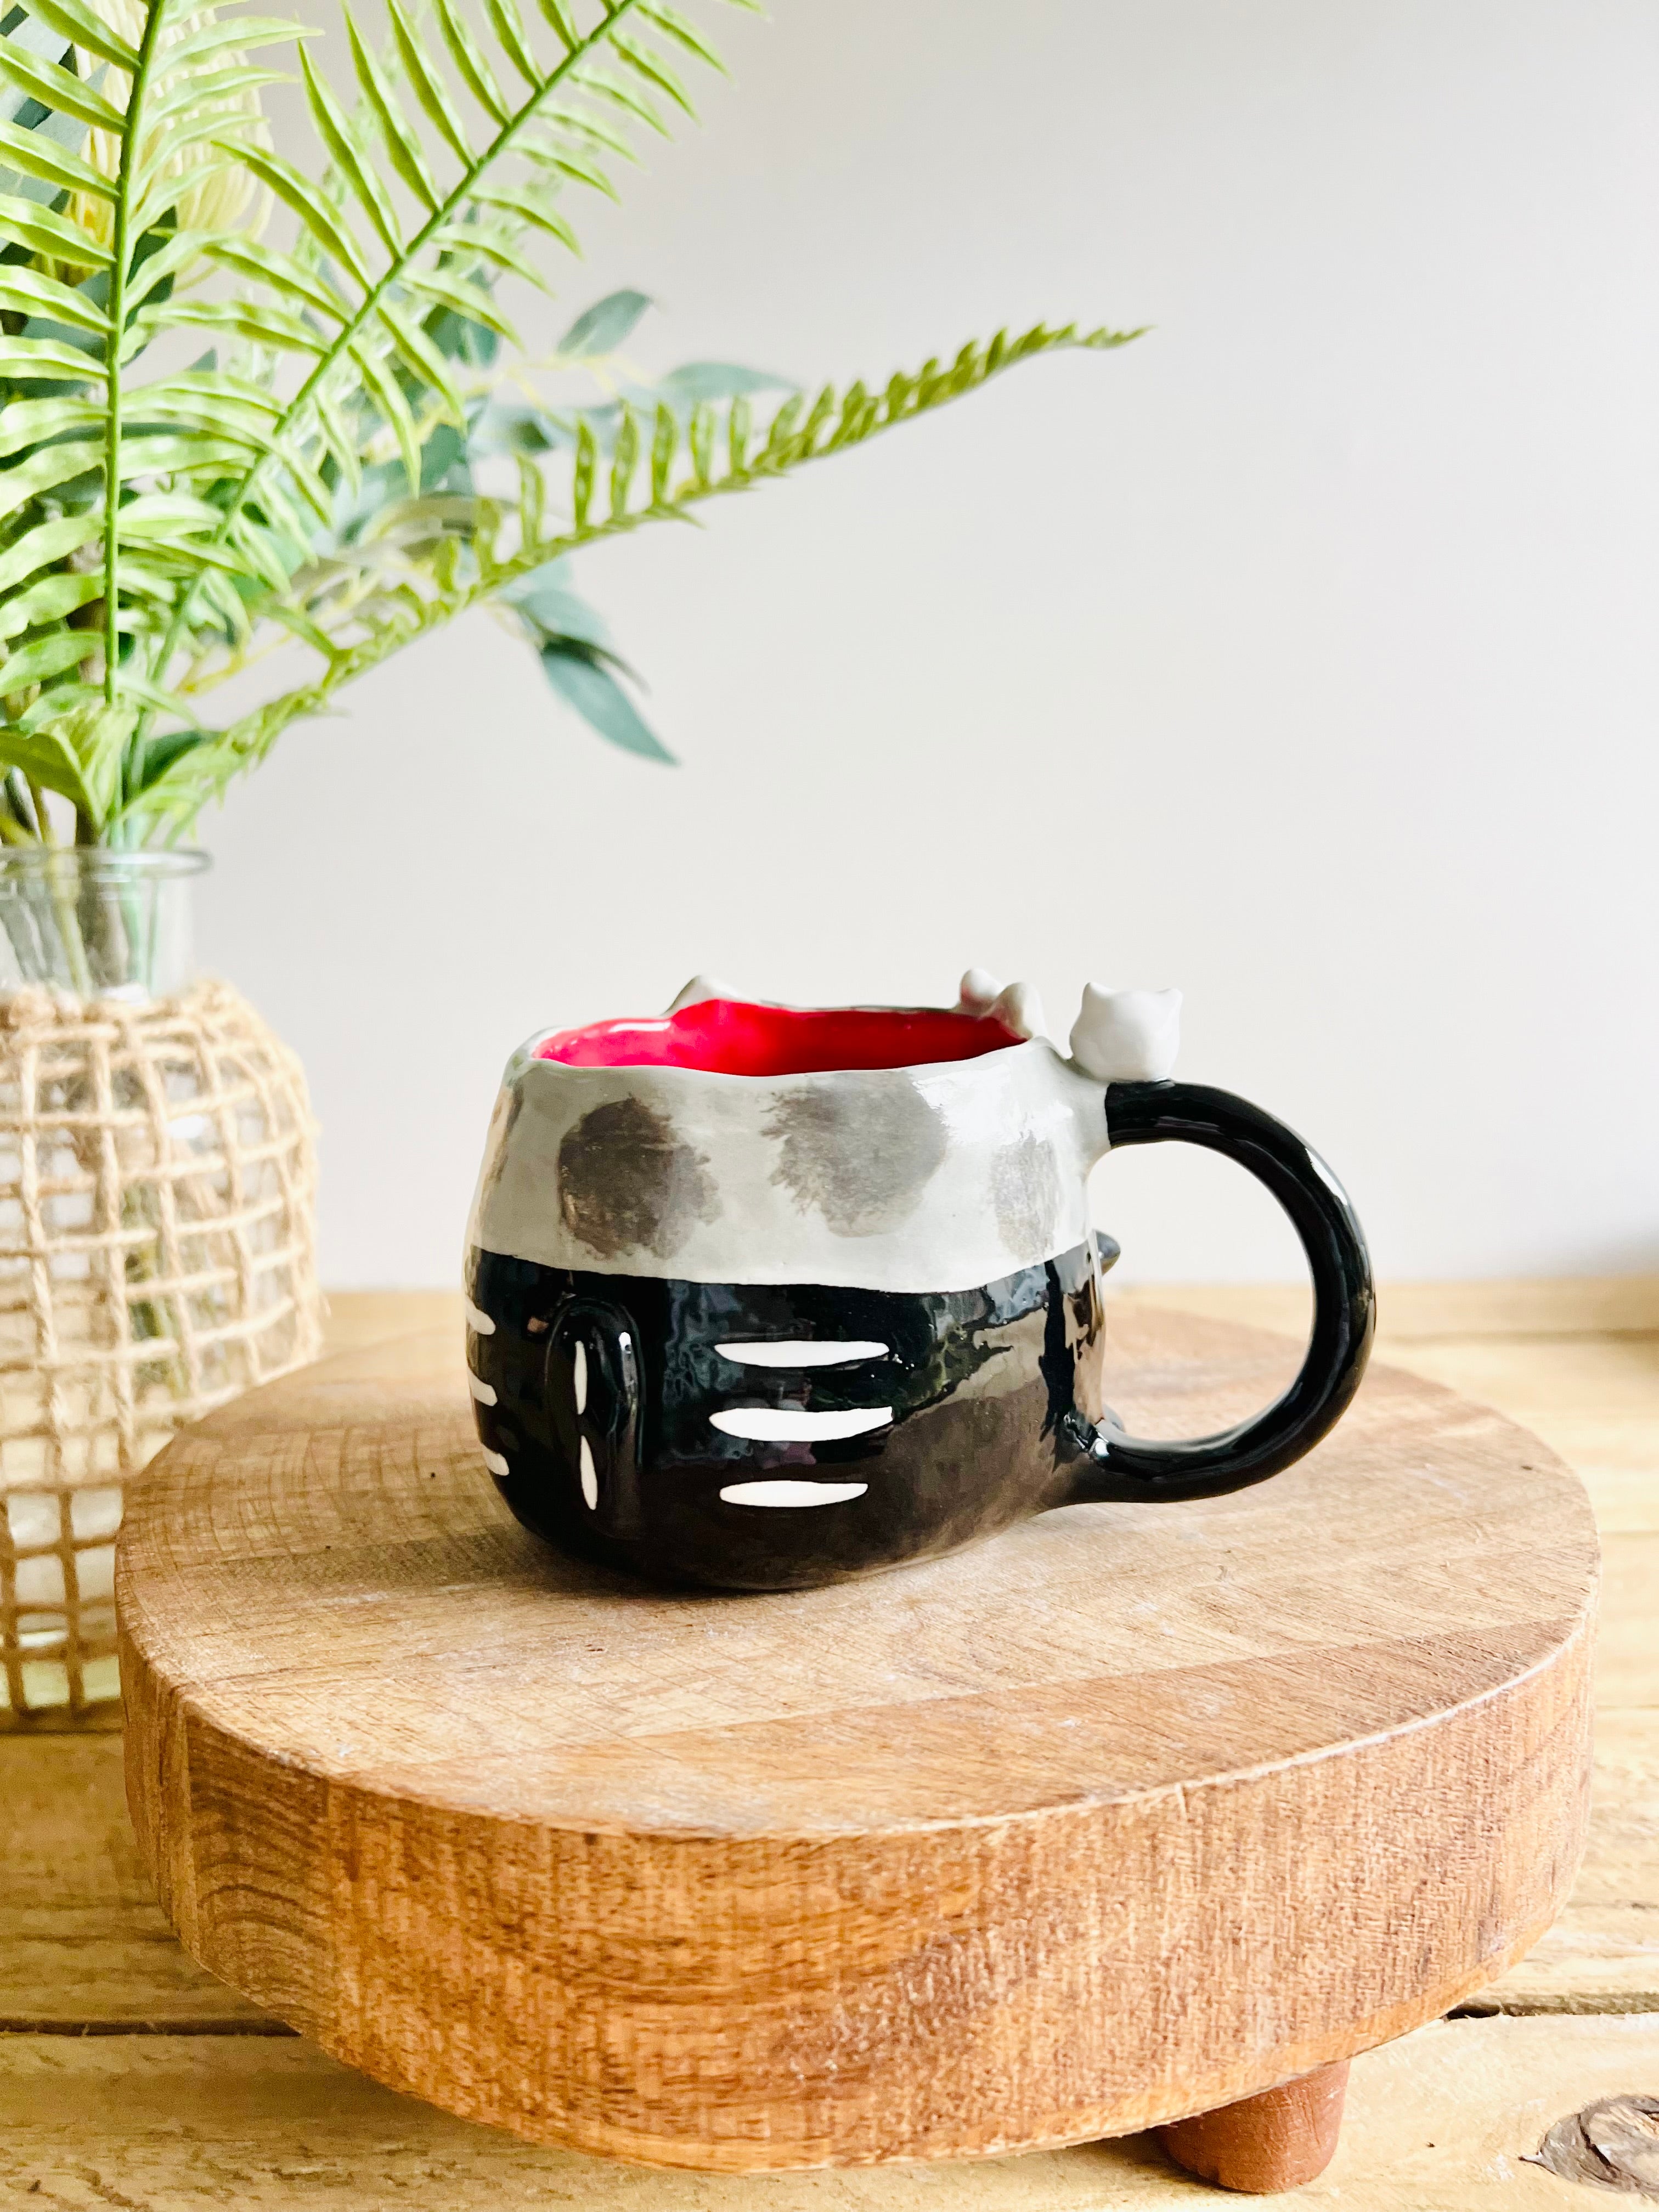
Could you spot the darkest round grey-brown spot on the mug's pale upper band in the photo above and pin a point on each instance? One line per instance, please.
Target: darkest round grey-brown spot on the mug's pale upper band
(629, 1185)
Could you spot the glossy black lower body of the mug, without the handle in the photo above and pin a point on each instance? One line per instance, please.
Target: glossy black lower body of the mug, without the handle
(979, 1386)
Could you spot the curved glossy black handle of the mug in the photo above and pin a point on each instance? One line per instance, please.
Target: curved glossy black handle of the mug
(1118, 1465)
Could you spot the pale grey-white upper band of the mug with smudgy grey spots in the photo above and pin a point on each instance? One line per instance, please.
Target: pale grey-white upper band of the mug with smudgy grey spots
(932, 1178)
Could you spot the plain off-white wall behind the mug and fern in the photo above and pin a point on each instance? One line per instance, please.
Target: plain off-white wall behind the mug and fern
(1302, 656)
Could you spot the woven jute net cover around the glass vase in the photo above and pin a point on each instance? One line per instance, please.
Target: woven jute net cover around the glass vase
(158, 1178)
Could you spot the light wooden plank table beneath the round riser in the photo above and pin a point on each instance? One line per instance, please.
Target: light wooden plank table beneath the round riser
(132, 2078)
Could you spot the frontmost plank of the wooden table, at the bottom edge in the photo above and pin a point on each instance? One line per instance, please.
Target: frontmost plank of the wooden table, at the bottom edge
(1446, 2120)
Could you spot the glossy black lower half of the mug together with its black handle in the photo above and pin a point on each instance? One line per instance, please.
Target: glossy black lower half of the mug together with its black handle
(997, 1397)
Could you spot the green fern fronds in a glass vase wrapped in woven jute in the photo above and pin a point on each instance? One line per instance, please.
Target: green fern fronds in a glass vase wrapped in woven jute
(255, 415)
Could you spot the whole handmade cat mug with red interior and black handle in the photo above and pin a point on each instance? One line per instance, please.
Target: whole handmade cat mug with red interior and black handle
(766, 1297)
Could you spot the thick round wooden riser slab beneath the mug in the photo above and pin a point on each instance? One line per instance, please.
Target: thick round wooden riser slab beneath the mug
(1123, 1817)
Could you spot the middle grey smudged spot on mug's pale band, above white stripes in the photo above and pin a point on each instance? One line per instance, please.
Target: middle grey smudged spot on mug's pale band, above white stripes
(859, 1151)
